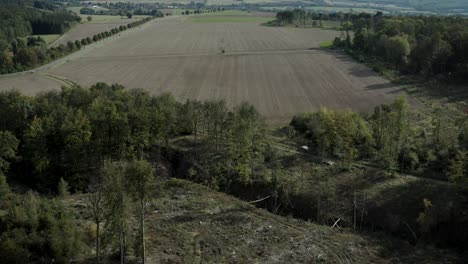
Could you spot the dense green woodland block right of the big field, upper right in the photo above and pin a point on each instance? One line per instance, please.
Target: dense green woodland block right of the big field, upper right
(425, 46)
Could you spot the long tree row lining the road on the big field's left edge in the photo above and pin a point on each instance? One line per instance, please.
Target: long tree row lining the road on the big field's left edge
(22, 54)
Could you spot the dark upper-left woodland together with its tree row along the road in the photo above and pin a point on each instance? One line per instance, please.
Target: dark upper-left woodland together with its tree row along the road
(19, 51)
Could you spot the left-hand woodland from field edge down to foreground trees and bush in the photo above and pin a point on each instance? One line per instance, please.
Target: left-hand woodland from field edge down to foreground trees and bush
(97, 141)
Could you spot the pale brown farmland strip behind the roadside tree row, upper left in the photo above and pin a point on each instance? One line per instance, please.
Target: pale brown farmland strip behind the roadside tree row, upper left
(89, 29)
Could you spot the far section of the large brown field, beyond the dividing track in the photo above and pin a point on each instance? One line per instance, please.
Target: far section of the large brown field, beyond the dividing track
(178, 36)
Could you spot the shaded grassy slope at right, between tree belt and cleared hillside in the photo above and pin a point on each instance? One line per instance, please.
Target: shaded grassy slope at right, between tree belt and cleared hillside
(391, 203)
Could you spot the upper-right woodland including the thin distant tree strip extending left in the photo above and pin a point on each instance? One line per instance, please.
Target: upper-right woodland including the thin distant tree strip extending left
(422, 46)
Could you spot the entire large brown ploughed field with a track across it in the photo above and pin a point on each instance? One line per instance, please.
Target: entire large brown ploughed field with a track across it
(281, 71)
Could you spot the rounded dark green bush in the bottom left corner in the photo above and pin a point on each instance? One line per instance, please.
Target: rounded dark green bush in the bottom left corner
(39, 229)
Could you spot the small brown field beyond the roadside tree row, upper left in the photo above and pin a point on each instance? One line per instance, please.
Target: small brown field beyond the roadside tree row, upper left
(81, 31)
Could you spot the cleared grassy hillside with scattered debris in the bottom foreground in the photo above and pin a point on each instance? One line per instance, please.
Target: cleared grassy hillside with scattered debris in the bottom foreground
(188, 223)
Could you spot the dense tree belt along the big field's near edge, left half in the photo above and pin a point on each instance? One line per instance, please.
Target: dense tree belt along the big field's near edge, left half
(71, 133)
